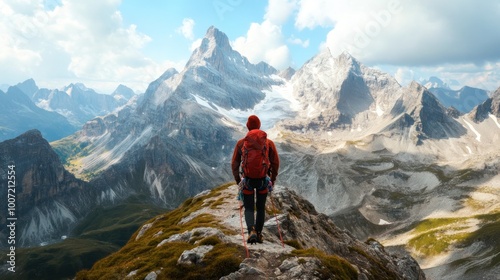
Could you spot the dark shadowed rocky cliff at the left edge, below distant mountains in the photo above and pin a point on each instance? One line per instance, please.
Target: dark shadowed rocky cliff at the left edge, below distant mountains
(49, 199)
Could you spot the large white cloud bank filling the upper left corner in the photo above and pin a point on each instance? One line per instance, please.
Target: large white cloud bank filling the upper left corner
(74, 40)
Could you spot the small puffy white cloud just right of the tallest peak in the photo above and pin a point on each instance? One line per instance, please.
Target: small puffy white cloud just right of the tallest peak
(264, 42)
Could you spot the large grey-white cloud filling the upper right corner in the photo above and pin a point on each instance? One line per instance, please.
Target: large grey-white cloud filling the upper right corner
(408, 32)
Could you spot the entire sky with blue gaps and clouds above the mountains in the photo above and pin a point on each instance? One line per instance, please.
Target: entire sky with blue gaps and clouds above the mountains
(104, 43)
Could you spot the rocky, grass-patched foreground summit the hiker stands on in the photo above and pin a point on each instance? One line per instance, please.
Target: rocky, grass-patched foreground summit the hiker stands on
(202, 239)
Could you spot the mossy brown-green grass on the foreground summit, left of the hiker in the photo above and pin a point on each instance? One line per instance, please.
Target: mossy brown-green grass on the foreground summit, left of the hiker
(224, 258)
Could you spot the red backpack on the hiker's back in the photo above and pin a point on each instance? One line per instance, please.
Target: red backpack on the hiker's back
(255, 154)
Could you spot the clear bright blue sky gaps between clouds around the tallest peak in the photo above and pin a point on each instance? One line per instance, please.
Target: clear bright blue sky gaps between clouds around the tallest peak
(162, 20)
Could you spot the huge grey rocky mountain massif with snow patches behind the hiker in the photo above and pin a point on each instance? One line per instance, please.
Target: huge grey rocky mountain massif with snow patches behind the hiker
(380, 159)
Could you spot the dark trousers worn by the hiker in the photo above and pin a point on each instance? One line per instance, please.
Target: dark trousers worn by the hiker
(251, 205)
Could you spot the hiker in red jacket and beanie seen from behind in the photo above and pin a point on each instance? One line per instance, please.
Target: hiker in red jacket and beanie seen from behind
(259, 170)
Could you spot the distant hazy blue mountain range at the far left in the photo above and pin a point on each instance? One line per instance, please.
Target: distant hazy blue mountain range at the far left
(55, 113)
